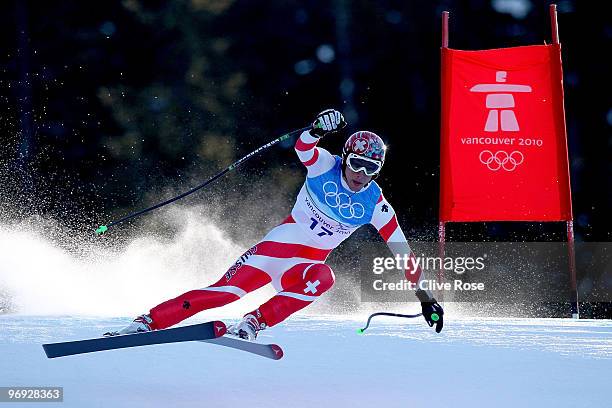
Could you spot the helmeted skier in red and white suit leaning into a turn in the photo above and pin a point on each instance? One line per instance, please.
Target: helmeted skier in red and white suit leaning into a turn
(338, 196)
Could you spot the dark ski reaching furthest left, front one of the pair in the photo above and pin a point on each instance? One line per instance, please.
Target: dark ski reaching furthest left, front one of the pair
(196, 332)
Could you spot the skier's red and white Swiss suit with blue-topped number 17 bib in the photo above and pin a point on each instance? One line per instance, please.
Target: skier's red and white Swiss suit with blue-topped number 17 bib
(292, 255)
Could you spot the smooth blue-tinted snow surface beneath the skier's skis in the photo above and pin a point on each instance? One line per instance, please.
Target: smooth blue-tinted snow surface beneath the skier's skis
(396, 363)
